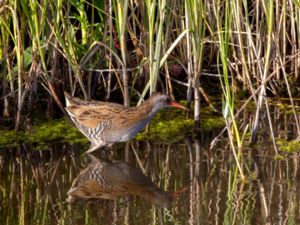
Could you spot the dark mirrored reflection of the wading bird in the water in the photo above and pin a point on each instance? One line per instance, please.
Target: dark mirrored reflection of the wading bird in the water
(104, 179)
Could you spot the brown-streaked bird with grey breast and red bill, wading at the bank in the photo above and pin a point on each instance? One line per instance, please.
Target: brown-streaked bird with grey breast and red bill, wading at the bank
(105, 123)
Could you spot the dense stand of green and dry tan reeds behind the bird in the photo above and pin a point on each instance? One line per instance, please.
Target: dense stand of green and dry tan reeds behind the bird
(134, 48)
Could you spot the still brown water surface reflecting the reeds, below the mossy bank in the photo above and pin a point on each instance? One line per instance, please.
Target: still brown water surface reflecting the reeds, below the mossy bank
(34, 185)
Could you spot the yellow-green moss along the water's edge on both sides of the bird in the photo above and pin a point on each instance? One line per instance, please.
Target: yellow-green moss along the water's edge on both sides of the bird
(169, 125)
